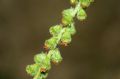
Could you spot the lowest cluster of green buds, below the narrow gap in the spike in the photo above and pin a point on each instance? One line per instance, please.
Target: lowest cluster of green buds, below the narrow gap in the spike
(43, 63)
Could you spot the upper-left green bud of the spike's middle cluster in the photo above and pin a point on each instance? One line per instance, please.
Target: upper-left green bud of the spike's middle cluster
(55, 30)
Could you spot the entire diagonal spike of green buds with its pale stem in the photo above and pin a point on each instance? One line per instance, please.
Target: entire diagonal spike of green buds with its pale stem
(61, 35)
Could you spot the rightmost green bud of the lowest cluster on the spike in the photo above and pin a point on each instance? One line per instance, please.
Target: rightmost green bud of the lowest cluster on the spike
(56, 56)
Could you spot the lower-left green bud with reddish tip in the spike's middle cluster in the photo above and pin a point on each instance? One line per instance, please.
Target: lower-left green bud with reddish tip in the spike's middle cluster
(51, 43)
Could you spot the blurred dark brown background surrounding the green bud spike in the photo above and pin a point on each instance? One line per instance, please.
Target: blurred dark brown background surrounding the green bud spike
(93, 54)
